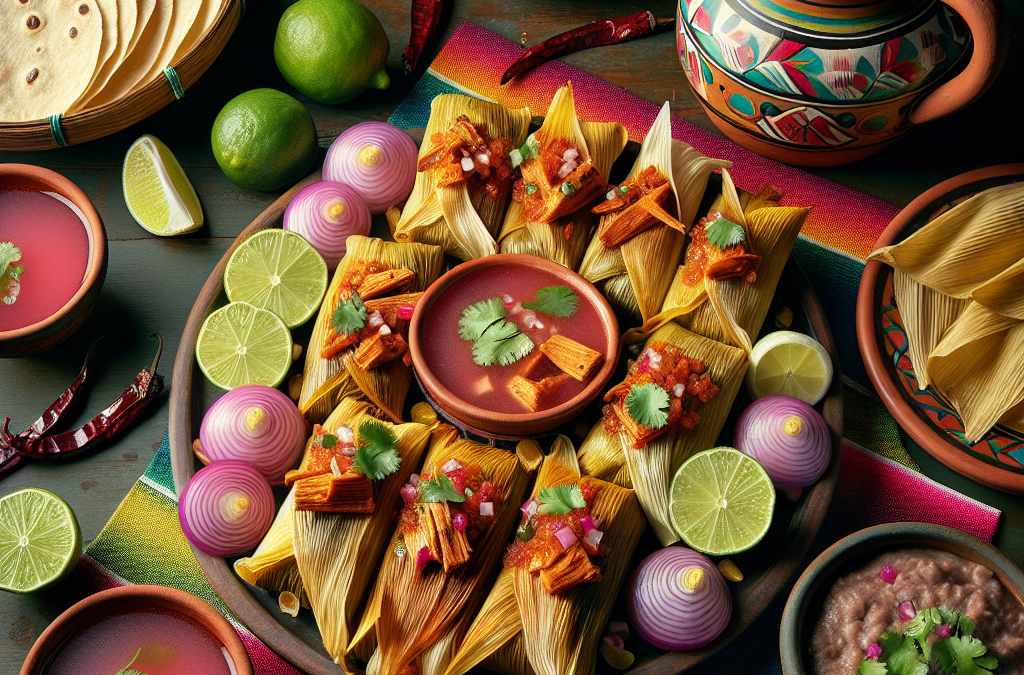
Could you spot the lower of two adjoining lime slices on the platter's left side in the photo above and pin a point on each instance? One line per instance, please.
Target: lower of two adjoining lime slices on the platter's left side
(242, 345)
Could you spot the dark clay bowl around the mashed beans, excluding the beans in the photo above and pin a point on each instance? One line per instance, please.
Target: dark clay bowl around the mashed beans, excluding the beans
(804, 607)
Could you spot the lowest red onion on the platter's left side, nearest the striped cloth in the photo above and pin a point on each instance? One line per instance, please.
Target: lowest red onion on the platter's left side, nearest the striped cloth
(227, 509)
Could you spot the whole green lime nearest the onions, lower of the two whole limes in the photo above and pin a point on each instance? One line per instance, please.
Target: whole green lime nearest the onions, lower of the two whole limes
(265, 140)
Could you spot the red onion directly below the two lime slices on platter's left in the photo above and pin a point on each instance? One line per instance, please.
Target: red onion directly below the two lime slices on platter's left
(257, 425)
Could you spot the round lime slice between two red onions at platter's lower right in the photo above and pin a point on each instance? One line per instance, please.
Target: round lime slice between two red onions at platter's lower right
(721, 501)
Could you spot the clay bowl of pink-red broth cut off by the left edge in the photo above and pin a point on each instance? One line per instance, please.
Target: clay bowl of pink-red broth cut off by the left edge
(50, 285)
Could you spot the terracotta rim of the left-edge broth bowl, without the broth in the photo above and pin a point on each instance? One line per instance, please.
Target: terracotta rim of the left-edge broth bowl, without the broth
(58, 328)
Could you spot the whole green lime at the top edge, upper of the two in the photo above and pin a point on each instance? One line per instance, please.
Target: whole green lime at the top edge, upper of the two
(331, 51)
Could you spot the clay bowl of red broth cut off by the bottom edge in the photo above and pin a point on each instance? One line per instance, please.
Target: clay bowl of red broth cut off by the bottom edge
(149, 629)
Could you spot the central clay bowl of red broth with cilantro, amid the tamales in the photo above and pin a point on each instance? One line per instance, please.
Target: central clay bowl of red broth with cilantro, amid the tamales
(487, 336)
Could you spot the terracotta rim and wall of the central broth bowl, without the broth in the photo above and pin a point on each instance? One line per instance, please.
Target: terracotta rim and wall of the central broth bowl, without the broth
(514, 425)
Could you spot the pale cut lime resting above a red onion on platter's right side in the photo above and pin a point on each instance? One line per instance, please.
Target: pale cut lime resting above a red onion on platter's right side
(790, 363)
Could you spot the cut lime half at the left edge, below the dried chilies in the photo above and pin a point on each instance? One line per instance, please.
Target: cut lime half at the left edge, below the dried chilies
(40, 540)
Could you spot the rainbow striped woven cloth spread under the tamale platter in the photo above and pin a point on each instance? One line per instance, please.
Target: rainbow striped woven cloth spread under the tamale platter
(144, 543)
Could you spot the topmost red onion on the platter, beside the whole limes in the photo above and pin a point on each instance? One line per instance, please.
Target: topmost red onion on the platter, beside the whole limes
(376, 159)
